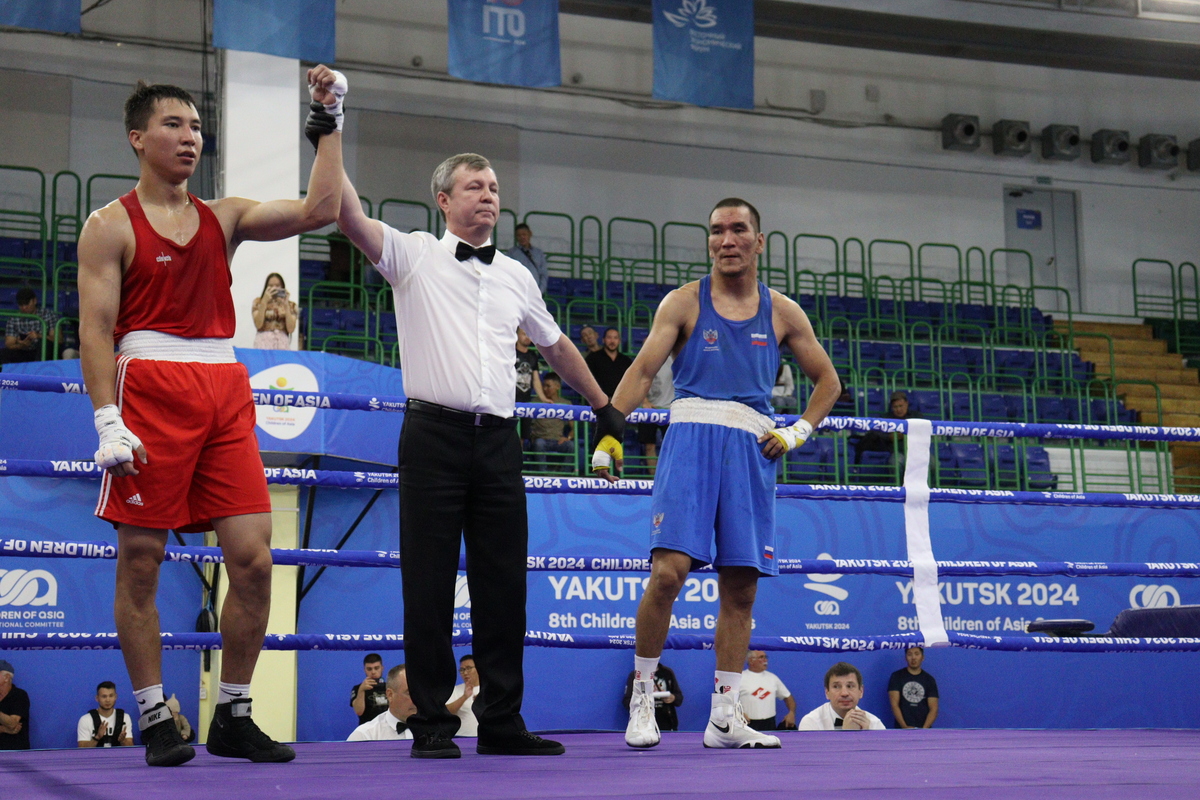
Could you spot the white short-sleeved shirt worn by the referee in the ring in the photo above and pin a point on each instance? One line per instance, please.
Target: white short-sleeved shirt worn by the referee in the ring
(458, 321)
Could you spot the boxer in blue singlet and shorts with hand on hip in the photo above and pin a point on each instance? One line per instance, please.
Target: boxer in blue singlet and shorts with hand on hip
(716, 482)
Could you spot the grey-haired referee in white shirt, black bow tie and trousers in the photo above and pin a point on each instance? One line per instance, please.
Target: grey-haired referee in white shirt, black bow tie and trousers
(459, 304)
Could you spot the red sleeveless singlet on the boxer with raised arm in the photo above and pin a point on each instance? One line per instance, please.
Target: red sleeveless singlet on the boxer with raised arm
(178, 290)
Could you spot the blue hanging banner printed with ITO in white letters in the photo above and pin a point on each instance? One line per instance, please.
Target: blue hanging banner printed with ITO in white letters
(512, 43)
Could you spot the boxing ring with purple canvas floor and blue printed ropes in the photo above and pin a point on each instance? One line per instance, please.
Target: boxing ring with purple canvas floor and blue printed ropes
(931, 763)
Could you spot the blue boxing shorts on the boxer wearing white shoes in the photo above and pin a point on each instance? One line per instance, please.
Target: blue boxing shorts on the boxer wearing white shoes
(713, 485)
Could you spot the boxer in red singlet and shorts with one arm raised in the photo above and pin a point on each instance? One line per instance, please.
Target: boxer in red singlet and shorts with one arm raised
(175, 411)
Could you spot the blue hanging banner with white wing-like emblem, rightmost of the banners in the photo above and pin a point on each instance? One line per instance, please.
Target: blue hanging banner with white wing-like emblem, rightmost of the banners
(704, 52)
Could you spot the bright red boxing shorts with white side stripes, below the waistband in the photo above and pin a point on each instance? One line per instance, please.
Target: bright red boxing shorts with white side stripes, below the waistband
(197, 424)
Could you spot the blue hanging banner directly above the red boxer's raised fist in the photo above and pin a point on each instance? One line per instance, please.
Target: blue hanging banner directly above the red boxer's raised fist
(293, 29)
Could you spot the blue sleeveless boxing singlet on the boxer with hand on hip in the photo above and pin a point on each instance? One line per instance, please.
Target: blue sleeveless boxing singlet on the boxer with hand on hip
(730, 360)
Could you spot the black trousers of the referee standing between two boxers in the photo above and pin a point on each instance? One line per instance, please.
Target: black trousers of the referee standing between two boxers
(458, 482)
